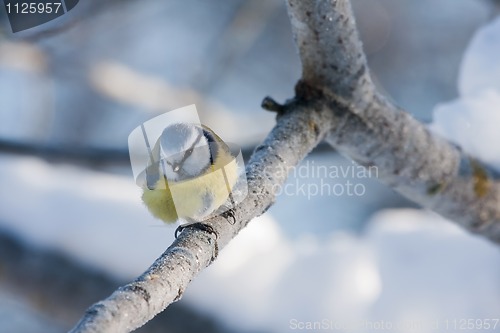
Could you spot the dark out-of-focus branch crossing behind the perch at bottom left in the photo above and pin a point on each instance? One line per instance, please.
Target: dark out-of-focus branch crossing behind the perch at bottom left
(61, 289)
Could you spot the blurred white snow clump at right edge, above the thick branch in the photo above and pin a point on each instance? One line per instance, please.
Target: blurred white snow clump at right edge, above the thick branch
(472, 121)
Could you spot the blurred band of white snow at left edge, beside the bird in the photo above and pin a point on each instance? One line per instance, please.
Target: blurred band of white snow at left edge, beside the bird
(78, 211)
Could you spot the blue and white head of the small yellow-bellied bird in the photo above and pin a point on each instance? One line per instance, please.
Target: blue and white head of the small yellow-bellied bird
(185, 150)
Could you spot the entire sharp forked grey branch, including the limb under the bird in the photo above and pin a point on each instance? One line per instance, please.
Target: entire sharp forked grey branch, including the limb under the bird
(336, 97)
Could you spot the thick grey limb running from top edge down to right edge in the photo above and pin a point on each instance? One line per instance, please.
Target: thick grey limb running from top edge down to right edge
(423, 167)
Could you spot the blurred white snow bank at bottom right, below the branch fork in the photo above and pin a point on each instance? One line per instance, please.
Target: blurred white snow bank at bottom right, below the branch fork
(410, 265)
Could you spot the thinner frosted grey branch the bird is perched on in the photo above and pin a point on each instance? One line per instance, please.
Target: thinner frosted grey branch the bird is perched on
(299, 129)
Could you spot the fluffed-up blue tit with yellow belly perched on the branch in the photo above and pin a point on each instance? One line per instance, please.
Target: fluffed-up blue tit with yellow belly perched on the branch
(191, 174)
